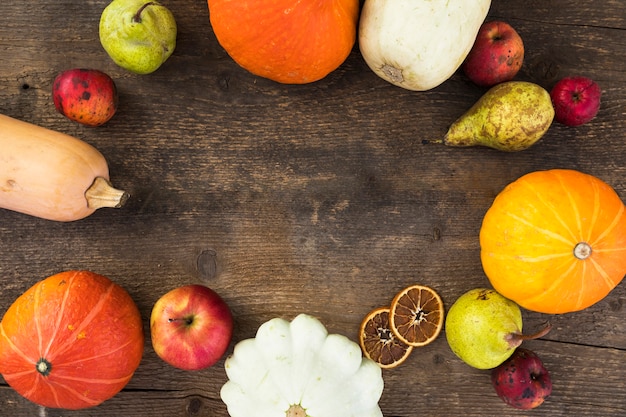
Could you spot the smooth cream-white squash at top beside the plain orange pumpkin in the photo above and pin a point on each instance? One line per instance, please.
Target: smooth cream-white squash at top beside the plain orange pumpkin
(419, 44)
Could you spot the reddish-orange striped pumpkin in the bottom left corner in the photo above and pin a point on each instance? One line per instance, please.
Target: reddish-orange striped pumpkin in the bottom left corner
(71, 341)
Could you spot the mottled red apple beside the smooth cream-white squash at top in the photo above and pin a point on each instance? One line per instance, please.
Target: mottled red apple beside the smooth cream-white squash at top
(497, 54)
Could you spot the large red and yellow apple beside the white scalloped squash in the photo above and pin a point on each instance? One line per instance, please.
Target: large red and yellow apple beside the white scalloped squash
(191, 327)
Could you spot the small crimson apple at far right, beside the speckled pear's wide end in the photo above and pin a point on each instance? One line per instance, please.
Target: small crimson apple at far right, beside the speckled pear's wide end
(576, 100)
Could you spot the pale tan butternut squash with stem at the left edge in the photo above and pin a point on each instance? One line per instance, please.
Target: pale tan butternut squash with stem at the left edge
(52, 175)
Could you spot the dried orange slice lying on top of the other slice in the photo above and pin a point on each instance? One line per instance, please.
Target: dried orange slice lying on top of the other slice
(416, 315)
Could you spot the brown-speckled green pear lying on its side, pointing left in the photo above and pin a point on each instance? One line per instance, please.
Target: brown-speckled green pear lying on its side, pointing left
(510, 116)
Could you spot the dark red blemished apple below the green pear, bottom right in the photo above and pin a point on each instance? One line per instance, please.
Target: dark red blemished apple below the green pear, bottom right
(522, 381)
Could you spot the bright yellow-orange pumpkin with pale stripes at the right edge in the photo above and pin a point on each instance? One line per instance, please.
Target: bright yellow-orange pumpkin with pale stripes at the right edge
(555, 241)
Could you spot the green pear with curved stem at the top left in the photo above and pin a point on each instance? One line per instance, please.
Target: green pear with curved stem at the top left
(138, 35)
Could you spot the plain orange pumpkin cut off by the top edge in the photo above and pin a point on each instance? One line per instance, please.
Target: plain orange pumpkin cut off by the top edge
(289, 41)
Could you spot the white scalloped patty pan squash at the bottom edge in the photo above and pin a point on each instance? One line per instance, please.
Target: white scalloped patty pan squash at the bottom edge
(297, 369)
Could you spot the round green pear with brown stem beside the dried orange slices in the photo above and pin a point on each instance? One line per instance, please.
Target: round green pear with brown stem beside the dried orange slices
(483, 328)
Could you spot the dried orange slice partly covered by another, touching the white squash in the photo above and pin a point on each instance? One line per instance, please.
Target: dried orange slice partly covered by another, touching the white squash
(378, 341)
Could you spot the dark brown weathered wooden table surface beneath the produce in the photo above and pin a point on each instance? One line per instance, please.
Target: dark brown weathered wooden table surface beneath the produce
(317, 198)
